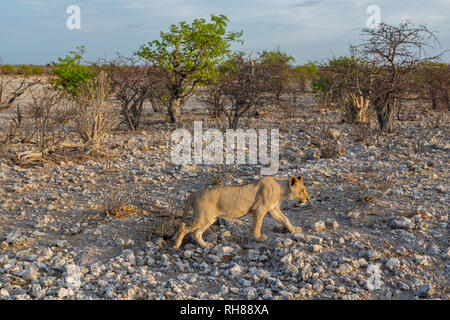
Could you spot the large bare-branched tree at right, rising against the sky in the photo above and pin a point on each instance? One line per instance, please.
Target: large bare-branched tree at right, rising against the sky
(393, 52)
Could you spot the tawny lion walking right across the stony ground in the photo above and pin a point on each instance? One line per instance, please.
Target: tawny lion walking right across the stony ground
(256, 198)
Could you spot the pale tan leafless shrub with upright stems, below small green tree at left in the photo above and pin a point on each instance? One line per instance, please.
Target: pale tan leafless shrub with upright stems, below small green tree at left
(96, 113)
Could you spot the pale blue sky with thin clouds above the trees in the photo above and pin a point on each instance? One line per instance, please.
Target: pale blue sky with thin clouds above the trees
(35, 31)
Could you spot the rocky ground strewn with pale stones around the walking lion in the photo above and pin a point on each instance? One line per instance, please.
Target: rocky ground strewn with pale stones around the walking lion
(99, 227)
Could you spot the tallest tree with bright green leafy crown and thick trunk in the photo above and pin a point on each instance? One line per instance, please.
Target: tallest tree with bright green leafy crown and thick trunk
(189, 55)
